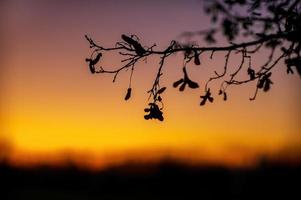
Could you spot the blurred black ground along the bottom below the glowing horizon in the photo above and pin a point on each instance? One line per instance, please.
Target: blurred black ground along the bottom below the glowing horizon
(164, 181)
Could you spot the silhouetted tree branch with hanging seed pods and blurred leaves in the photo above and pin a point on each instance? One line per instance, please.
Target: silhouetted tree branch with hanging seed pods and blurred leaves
(262, 24)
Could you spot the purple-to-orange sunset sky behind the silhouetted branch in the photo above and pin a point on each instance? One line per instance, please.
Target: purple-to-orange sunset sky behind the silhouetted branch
(54, 111)
